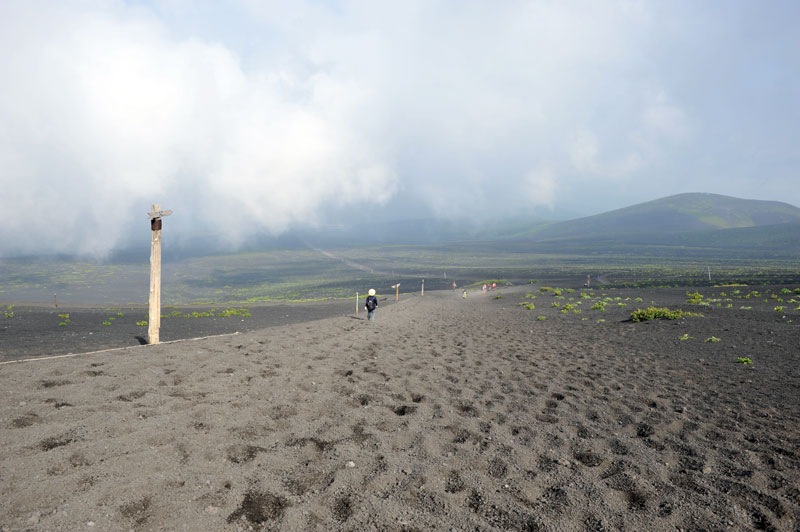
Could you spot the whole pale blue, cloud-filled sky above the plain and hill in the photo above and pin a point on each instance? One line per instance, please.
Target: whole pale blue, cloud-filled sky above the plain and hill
(273, 114)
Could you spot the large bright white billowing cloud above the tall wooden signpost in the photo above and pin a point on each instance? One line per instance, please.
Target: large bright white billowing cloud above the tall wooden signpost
(105, 113)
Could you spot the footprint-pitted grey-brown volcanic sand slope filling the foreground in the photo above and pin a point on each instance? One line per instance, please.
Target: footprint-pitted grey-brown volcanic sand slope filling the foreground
(443, 414)
